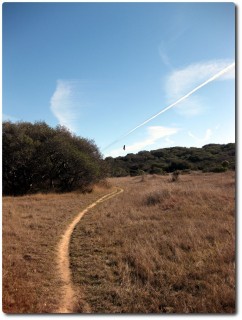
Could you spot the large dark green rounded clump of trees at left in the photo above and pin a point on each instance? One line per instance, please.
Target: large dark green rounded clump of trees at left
(38, 158)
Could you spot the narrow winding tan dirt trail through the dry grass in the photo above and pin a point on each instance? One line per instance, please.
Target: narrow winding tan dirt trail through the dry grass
(69, 301)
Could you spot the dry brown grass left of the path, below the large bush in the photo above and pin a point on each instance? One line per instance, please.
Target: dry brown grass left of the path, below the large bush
(32, 227)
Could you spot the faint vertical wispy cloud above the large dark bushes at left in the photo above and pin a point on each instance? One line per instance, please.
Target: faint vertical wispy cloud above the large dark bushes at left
(65, 103)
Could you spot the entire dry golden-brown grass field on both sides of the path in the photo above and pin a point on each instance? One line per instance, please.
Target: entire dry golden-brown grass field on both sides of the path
(158, 247)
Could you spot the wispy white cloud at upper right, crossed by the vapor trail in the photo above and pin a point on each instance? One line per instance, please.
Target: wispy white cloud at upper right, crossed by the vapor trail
(181, 81)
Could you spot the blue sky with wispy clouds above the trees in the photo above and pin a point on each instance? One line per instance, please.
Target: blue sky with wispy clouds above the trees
(101, 69)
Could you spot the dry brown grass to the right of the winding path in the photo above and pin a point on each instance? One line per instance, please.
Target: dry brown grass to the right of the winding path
(160, 247)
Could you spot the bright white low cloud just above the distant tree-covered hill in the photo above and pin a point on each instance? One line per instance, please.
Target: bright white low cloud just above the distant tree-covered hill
(154, 134)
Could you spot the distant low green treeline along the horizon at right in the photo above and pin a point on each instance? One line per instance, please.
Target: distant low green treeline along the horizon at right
(209, 158)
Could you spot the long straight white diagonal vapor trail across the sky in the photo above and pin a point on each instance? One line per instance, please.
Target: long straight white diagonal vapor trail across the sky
(214, 77)
